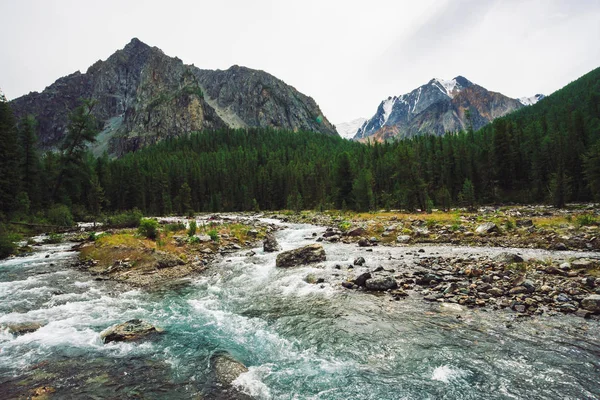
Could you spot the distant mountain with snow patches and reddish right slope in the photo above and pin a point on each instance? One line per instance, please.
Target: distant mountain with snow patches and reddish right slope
(438, 107)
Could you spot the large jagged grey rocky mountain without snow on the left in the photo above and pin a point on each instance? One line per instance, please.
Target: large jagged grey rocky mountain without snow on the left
(144, 96)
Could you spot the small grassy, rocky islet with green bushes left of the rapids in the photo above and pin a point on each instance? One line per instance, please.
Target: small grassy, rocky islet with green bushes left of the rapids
(124, 256)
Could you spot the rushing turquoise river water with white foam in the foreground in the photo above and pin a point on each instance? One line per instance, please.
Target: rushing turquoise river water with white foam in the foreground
(299, 340)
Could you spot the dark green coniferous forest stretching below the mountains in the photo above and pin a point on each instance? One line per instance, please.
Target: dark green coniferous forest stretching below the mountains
(548, 152)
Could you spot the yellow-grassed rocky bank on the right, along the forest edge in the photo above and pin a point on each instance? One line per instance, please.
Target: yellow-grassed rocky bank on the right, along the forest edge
(541, 227)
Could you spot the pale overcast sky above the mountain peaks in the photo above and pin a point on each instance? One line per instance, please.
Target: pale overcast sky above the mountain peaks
(348, 55)
